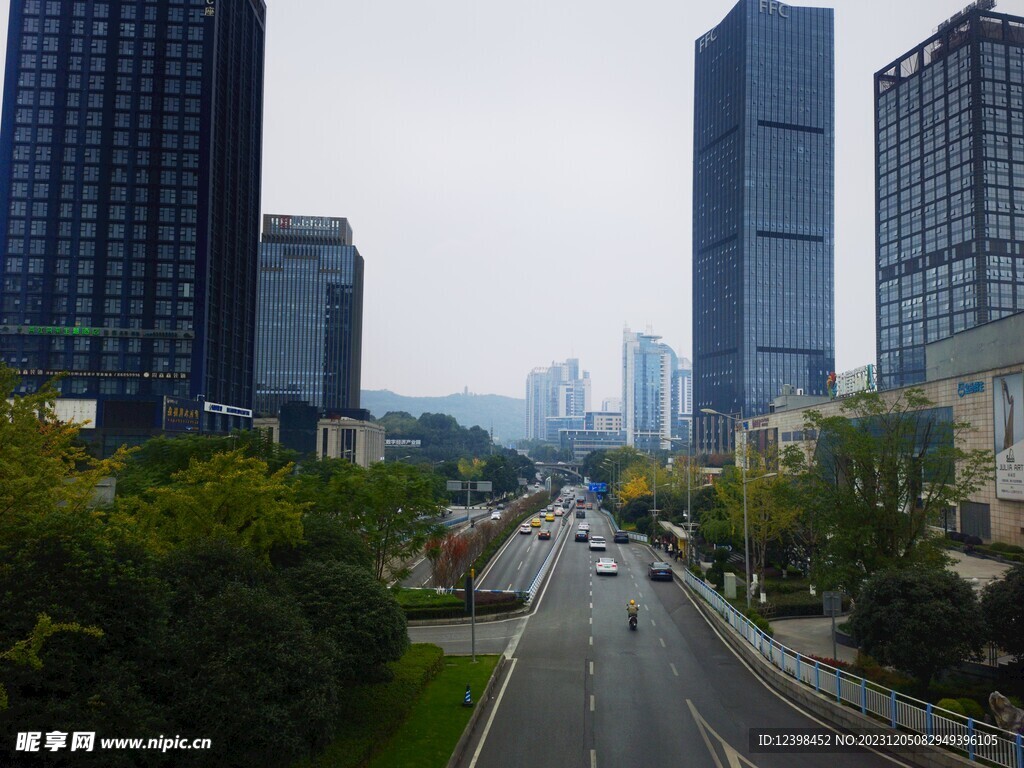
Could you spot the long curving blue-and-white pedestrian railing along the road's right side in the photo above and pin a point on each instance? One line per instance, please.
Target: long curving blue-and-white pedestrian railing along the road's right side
(890, 709)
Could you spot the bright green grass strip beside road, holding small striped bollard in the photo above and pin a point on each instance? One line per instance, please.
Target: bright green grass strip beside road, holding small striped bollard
(429, 737)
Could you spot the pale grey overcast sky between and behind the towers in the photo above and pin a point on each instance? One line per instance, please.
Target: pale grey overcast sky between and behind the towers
(519, 175)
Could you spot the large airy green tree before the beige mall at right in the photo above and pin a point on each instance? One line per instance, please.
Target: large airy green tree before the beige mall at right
(882, 472)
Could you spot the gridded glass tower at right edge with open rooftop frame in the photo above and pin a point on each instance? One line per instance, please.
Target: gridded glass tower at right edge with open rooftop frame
(950, 155)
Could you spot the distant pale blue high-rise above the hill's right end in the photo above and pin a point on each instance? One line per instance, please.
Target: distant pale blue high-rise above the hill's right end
(558, 393)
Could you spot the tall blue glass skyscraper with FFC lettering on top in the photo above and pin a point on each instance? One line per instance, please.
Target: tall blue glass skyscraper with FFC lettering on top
(763, 249)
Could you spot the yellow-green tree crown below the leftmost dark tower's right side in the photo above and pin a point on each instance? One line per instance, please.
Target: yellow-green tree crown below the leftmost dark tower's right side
(227, 496)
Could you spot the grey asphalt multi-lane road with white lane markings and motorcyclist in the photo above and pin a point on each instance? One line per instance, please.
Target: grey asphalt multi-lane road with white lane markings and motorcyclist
(584, 691)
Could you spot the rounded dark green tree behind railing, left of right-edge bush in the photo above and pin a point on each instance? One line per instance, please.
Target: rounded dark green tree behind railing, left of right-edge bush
(921, 621)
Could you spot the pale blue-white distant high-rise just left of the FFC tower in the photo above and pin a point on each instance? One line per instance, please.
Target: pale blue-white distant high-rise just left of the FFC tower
(649, 367)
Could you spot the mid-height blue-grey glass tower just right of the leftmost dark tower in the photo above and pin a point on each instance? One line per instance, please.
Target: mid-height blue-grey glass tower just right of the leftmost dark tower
(310, 332)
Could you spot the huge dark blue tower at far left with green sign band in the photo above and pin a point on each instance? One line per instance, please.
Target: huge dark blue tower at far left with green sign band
(130, 203)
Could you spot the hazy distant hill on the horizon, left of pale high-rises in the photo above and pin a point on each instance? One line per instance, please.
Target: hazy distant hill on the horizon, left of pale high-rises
(506, 415)
